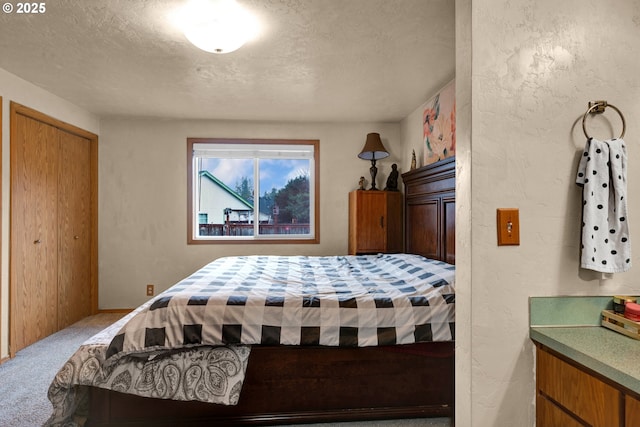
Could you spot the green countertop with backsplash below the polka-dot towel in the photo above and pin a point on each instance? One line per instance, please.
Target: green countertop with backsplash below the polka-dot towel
(602, 350)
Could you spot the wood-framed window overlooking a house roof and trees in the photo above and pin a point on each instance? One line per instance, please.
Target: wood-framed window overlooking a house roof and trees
(260, 191)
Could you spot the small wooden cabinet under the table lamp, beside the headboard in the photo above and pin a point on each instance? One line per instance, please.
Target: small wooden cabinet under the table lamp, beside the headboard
(375, 222)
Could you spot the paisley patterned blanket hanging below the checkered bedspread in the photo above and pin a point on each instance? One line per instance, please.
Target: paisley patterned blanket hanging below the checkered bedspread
(204, 373)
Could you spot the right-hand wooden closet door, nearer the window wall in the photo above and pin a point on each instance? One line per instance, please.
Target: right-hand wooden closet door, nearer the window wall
(74, 226)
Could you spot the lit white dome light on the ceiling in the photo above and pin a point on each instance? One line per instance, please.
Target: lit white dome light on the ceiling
(217, 26)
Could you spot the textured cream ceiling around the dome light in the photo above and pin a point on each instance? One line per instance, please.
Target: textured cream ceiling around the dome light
(315, 60)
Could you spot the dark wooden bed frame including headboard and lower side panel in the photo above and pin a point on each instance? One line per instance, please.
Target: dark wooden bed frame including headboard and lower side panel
(287, 385)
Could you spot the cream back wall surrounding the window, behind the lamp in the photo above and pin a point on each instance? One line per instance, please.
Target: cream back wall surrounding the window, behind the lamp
(143, 196)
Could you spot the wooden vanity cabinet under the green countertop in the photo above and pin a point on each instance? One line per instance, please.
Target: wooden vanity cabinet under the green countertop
(568, 394)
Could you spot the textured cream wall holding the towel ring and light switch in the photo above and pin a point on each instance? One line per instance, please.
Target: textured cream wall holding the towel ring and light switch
(534, 66)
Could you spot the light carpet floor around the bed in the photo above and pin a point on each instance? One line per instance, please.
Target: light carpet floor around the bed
(25, 379)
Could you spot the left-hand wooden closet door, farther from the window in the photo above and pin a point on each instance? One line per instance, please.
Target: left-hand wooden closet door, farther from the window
(34, 230)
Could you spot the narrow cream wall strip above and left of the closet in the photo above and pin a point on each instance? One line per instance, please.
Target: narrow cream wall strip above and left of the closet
(13, 88)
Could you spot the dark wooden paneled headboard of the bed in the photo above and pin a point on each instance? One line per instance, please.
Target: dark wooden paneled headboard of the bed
(430, 210)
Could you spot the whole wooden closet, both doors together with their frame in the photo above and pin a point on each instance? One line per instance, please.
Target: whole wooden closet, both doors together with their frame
(53, 270)
